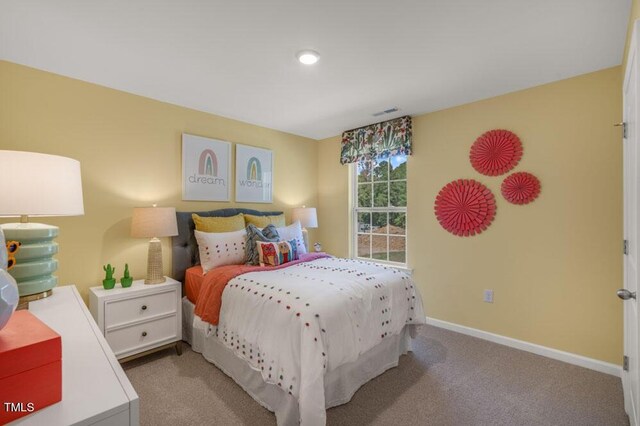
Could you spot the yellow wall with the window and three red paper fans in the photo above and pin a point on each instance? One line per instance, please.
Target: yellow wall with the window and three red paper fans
(554, 264)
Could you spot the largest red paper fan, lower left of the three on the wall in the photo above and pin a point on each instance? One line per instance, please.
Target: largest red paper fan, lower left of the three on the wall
(465, 207)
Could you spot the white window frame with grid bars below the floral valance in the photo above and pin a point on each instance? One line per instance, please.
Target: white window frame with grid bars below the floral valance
(354, 210)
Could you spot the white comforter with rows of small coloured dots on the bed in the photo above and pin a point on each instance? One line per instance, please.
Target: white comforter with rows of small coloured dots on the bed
(295, 323)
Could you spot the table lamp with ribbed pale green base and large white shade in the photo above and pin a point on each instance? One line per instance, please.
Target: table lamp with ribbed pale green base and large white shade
(35, 184)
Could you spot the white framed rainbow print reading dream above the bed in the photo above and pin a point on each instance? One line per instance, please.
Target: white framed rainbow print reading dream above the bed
(206, 169)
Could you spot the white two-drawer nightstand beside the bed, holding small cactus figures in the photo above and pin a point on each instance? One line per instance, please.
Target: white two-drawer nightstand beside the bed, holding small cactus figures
(140, 319)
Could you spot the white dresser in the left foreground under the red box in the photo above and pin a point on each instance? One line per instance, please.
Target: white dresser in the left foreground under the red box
(95, 389)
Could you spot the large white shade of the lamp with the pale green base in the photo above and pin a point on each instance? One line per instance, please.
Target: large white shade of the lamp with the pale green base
(35, 184)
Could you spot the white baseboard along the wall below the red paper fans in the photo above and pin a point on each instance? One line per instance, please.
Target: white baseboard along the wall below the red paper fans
(579, 360)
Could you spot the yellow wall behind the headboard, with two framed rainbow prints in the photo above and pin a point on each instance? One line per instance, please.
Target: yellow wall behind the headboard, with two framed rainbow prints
(129, 148)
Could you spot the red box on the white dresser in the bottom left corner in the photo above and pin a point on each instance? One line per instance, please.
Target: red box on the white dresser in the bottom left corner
(30, 366)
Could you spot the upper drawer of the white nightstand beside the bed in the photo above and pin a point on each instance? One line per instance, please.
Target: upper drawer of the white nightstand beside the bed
(124, 311)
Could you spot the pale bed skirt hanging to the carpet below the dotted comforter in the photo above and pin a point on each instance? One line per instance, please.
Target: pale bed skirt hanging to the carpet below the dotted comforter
(339, 384)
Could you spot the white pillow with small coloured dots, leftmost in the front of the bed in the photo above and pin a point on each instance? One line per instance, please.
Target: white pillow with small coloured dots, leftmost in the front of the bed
(221, 248)
